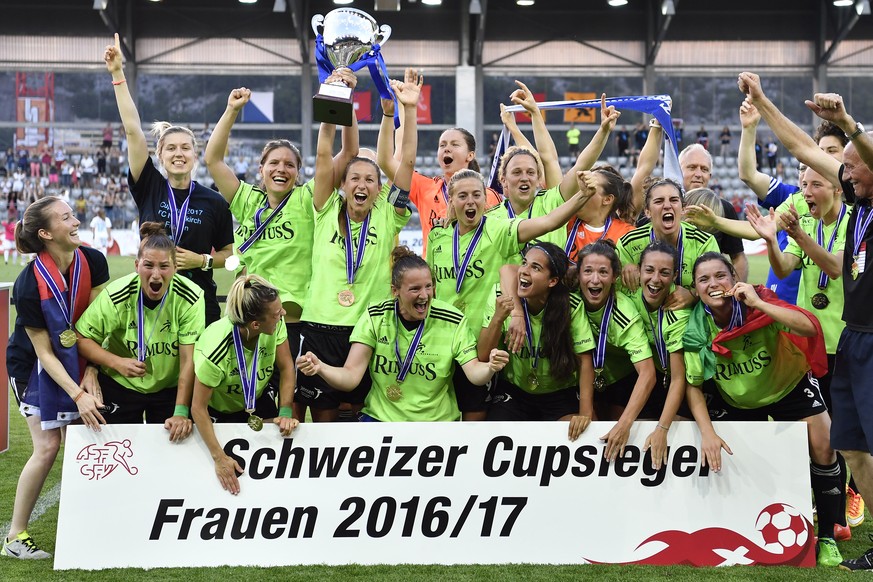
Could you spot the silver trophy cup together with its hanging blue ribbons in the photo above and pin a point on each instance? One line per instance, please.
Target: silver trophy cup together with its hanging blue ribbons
(350, 38)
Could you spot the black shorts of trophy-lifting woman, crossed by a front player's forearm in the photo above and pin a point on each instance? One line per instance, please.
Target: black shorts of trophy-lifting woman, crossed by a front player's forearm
(331, 344)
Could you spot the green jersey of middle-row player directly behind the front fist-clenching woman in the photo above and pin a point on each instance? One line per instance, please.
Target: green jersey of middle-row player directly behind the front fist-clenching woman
(498, 244)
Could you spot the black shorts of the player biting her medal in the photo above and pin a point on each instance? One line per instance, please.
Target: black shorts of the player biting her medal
(803, 401)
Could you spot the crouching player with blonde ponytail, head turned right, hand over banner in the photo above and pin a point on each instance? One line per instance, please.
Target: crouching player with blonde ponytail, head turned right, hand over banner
(233, 362)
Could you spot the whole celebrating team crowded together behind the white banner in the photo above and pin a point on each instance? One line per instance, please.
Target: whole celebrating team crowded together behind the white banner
(571, 296)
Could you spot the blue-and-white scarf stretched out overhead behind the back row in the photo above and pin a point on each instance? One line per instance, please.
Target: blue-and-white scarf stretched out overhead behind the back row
(659, 106)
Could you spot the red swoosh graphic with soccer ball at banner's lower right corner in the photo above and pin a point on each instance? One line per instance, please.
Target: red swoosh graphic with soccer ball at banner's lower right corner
(784, 538)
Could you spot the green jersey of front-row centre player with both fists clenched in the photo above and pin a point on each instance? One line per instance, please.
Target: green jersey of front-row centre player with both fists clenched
(426, 394)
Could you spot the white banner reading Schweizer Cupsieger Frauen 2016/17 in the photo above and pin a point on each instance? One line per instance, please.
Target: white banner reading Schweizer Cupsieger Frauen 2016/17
(438, 493)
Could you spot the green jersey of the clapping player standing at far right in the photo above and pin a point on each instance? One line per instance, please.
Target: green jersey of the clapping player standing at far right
(831, 315)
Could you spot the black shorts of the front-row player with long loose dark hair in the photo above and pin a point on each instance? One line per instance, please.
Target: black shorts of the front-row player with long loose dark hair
(509, 402)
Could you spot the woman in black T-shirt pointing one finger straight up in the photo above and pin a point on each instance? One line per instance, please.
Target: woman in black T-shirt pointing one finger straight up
(199, 219)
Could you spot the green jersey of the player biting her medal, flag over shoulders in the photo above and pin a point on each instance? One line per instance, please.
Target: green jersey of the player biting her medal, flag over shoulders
(764, 366)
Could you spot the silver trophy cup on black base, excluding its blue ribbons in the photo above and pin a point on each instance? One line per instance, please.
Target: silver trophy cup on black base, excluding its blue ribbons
(349, 35)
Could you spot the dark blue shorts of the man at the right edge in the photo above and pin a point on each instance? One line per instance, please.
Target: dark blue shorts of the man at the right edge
(852, 393)
